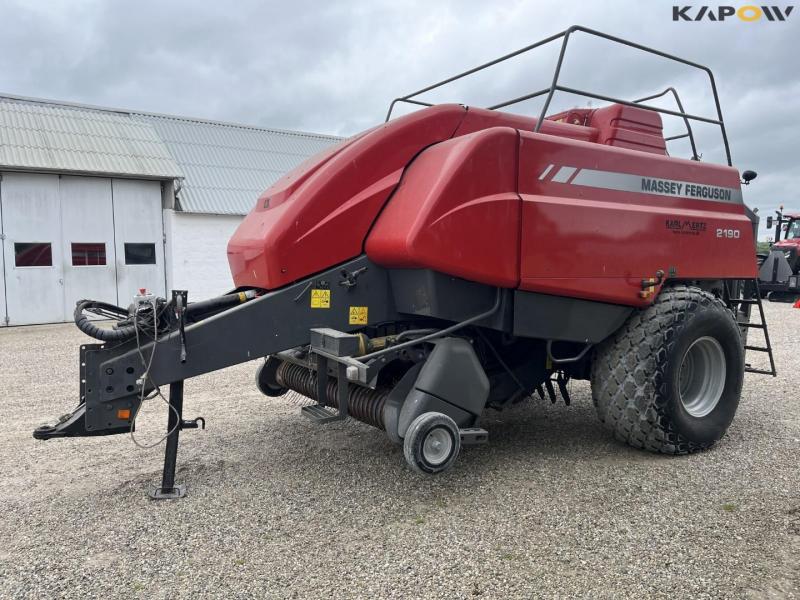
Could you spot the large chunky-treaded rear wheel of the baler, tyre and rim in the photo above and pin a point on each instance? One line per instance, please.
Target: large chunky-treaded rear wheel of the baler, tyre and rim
(670, 379)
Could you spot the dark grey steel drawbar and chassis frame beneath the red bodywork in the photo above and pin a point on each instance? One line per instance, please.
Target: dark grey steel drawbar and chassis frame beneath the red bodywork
(111, 376)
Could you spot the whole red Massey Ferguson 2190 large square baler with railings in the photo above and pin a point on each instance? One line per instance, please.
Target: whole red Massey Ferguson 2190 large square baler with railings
(458, 259)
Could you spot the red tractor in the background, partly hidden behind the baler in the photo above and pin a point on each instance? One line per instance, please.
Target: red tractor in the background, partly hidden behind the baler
(779, 269)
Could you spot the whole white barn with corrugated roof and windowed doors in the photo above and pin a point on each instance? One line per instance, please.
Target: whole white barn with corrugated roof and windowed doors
(120, 193)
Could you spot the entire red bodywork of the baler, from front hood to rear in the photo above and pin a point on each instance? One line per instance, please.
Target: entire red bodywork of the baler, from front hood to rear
(478, 195)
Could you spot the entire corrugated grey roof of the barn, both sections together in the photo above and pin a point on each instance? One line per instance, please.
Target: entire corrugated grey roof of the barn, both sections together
(224, 166)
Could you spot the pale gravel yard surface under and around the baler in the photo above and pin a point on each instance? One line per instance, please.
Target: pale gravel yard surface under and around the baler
(279, 507)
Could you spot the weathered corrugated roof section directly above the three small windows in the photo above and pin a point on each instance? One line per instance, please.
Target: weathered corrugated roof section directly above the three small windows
(53, 137)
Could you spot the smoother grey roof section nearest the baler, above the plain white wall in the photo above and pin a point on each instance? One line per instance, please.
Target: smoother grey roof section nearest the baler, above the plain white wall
(228, 166)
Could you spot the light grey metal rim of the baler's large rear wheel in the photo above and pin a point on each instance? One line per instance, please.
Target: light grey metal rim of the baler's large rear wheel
(702, 376)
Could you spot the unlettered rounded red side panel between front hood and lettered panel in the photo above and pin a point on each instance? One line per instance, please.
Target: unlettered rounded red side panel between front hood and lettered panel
(457, 211)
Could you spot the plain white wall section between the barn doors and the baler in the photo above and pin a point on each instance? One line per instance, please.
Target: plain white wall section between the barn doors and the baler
(197, 258)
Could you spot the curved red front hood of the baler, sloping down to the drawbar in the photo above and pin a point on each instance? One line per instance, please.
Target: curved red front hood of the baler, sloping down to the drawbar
(319, 214)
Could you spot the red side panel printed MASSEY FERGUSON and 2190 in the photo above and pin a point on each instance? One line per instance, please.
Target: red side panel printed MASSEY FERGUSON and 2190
(599, 243)
